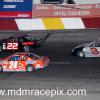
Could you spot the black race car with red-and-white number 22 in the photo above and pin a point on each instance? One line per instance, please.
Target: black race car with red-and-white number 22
(20, 43)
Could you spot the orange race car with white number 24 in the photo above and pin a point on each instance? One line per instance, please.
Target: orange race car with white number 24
(23, 62)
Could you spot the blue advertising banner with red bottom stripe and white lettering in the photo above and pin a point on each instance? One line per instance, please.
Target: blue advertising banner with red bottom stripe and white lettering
(15, 8)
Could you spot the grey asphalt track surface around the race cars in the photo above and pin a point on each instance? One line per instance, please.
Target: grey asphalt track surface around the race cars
(64, 72)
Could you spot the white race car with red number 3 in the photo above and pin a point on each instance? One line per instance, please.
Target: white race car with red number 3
(87, 50)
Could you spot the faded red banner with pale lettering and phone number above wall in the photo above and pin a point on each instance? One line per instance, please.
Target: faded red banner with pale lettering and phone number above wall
(72, 10)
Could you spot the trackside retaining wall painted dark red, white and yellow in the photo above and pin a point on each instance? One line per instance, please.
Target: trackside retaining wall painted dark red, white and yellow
(50, 24)
